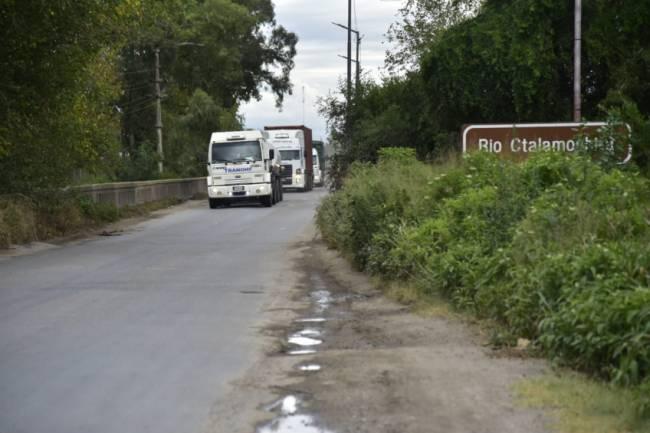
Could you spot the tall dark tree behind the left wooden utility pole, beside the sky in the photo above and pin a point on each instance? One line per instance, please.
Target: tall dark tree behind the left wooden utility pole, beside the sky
(225, 50)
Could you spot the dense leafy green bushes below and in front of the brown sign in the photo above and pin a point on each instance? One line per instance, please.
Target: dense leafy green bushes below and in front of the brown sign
(555, 250)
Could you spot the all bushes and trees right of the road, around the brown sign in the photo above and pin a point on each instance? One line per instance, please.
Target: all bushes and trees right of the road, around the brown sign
(555, 250)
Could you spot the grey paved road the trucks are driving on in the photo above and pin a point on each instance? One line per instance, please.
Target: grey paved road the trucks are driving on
(140, 332)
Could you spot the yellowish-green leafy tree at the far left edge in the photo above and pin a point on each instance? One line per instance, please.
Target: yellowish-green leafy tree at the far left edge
(57, 77)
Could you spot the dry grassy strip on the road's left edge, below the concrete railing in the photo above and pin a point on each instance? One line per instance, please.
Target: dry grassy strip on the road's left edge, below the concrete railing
(26, 219)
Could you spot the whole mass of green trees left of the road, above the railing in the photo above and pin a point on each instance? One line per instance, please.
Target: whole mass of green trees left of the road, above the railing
(77, 90)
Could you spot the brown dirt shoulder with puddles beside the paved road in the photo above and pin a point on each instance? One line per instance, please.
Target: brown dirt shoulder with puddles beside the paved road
(376, 366)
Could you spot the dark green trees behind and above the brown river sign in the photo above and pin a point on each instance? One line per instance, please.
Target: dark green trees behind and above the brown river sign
(464, 62)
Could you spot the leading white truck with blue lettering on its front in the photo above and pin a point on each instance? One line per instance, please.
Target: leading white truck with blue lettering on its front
(243, 166)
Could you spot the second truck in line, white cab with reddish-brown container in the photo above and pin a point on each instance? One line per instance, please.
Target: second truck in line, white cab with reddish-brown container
(294, 144)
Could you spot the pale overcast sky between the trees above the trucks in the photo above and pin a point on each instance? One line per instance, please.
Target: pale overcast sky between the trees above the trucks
(318, 67)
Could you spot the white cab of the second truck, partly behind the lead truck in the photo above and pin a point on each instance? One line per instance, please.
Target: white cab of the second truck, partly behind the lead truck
(290, 145)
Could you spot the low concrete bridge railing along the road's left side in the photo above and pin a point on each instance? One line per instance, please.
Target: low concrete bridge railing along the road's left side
(133, 193)
